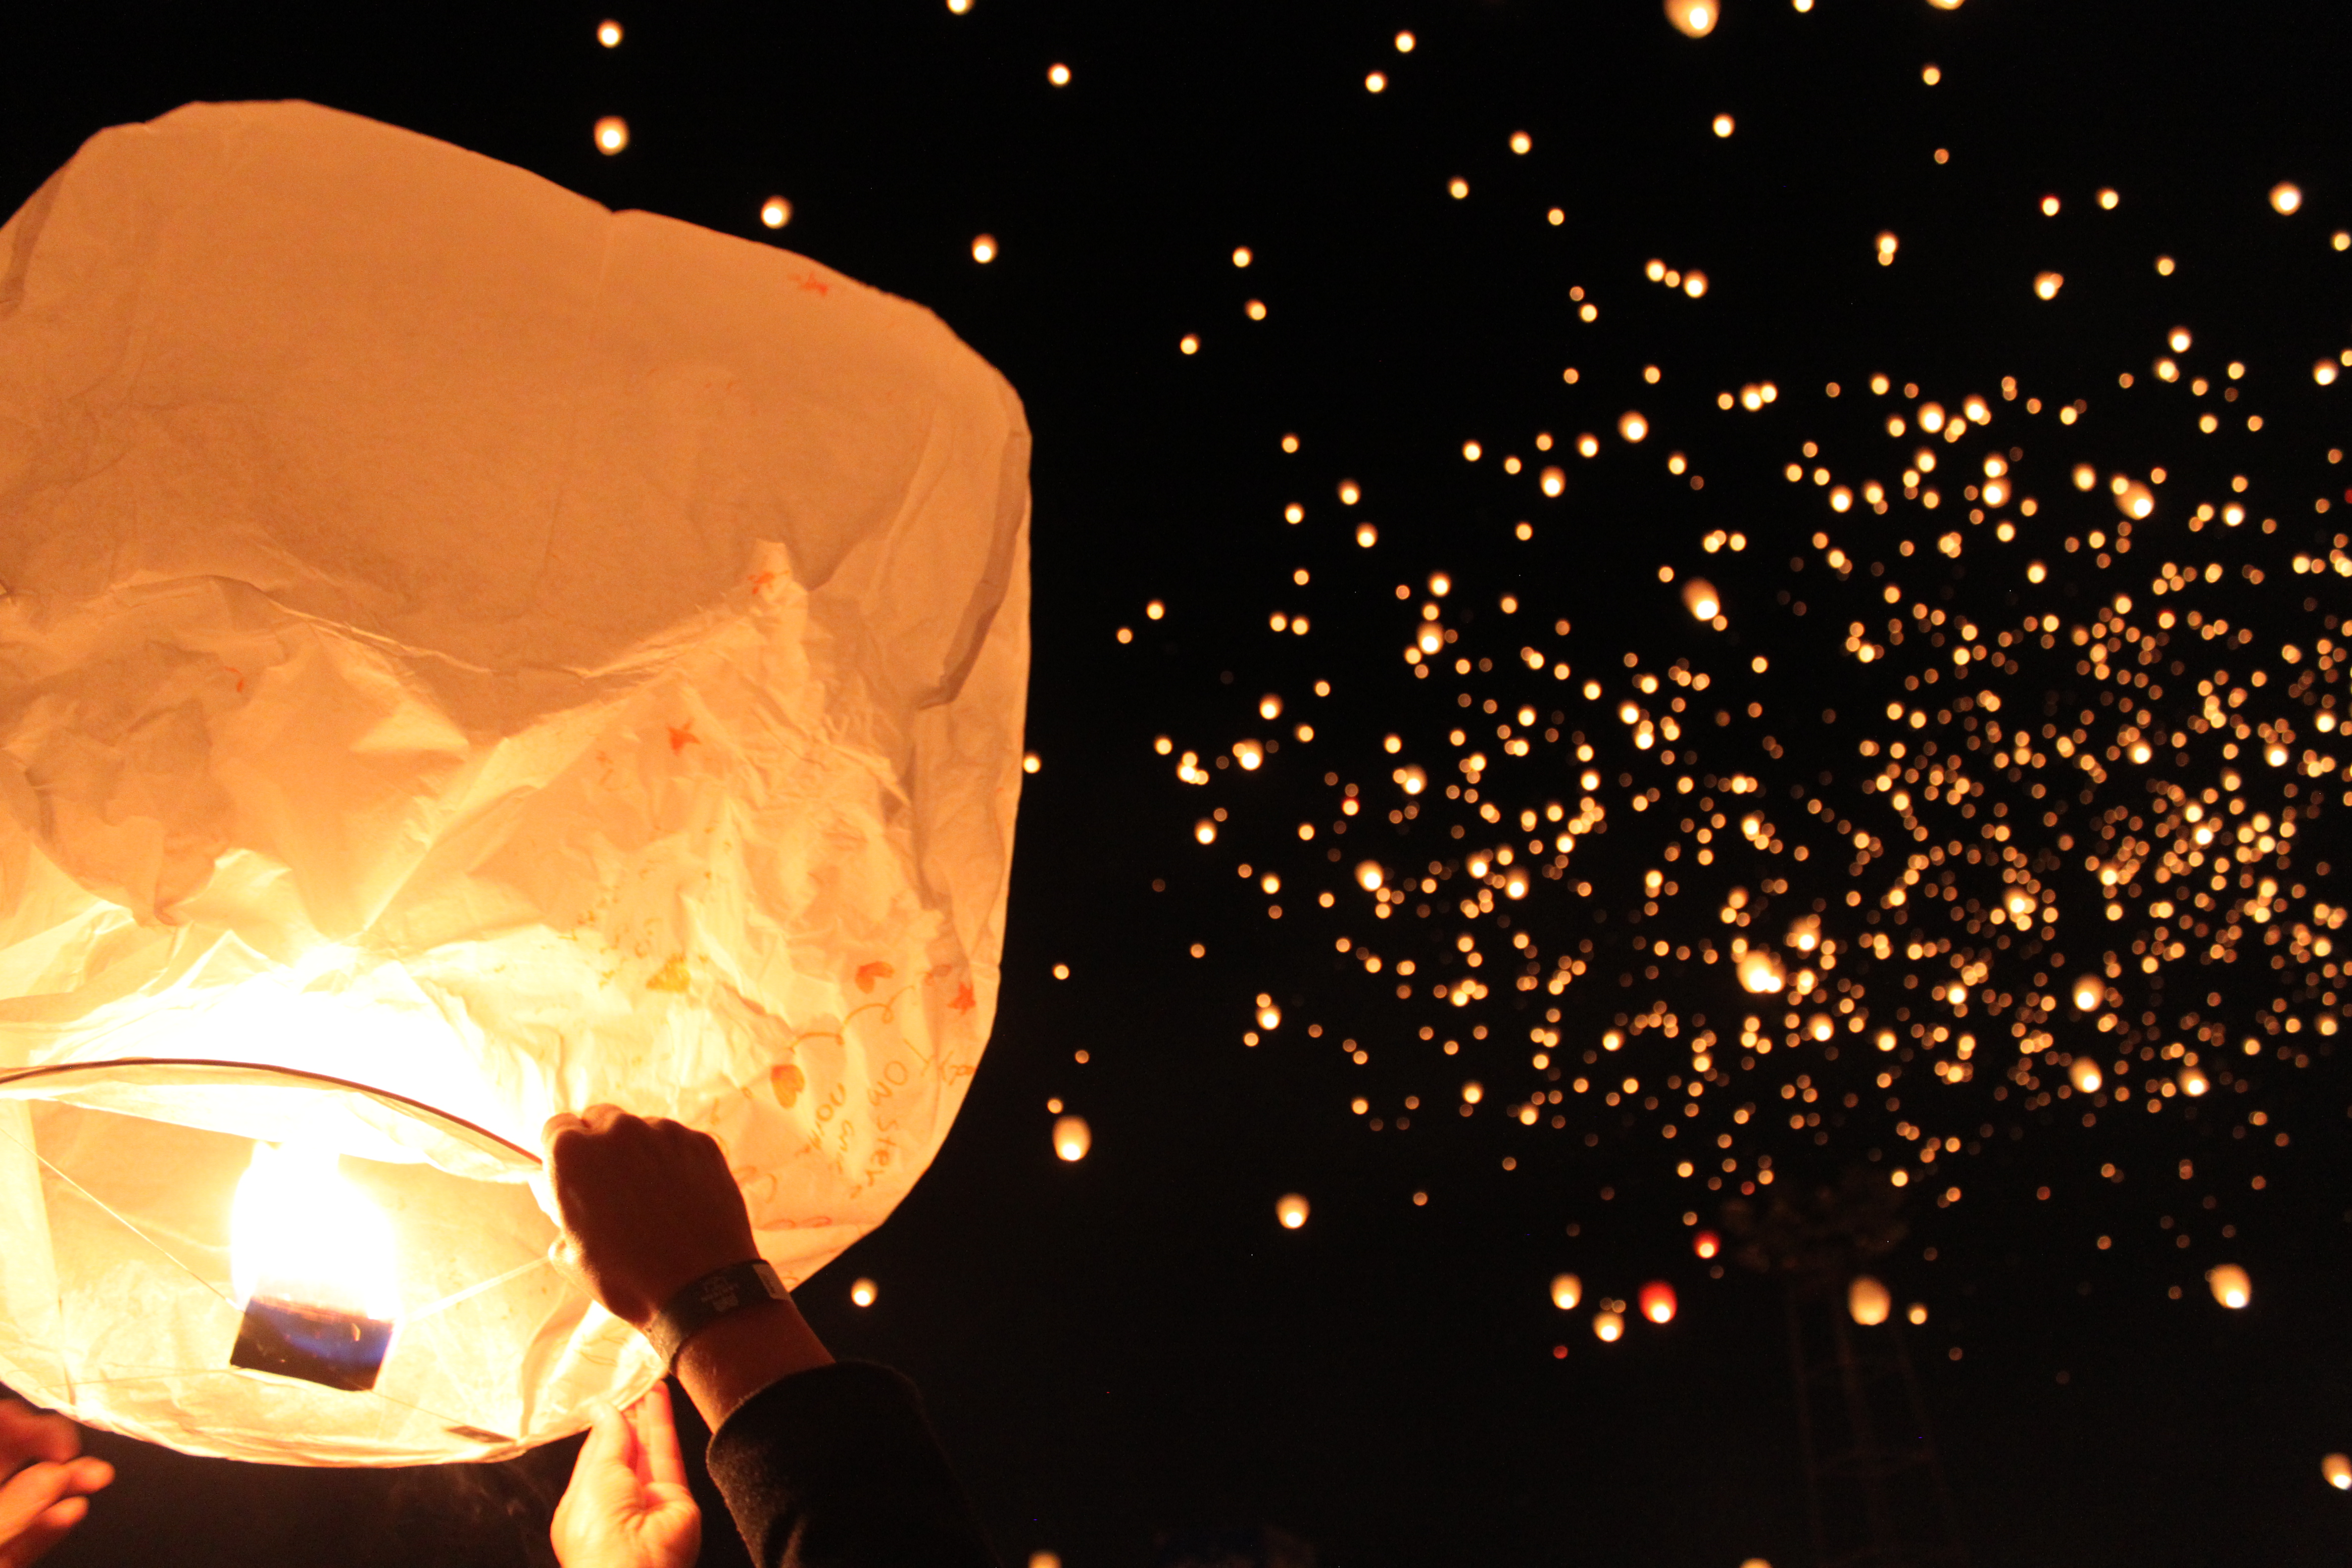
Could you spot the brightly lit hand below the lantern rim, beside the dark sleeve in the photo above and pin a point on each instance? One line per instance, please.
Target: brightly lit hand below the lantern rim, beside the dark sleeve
(629, 1503)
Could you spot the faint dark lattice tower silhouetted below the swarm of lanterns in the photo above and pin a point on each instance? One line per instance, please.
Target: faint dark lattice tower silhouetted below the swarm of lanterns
(1876, 1492)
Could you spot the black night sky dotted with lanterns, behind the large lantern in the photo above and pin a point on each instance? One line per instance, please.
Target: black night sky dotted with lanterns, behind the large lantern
(1130, 1358)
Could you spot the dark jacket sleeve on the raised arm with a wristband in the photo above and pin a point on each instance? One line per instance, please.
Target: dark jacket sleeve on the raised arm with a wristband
(838, 1468)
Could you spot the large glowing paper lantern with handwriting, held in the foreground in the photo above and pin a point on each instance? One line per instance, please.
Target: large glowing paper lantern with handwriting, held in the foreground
(465, 655)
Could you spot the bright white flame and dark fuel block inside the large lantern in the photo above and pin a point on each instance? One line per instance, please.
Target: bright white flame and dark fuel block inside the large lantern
(314, 1266)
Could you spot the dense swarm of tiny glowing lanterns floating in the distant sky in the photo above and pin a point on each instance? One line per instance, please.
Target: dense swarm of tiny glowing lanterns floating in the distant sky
(1850, 930)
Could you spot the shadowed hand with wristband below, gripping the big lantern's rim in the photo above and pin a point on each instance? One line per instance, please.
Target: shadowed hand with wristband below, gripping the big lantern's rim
(648, 1207)
